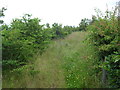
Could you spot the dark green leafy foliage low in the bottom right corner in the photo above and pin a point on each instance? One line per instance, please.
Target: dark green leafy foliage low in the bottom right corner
(112, 66)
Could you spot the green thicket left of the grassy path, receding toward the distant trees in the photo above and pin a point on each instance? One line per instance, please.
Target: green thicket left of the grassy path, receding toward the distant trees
(25, 37)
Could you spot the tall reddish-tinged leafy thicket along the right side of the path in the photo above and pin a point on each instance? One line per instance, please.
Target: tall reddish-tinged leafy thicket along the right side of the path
(105, 35)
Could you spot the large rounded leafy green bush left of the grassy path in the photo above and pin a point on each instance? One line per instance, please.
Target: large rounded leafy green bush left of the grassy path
(21, 40)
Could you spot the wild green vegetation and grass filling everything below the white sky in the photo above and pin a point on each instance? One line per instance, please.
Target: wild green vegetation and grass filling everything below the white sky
(55, 56)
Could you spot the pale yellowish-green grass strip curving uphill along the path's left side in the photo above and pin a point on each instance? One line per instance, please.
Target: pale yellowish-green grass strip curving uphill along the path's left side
(49, 64)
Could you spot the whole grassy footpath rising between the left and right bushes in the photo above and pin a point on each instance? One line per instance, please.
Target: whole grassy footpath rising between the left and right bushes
(66, 63)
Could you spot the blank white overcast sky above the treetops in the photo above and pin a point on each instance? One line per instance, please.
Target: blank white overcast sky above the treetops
(66, 12)
